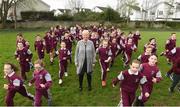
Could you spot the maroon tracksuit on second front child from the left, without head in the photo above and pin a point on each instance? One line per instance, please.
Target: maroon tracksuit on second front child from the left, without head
(42, 77)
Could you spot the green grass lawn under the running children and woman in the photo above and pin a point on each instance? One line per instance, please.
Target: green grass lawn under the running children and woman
(68, 93)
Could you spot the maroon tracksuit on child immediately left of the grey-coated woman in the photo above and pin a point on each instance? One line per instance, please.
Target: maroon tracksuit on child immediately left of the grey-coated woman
(63, 56)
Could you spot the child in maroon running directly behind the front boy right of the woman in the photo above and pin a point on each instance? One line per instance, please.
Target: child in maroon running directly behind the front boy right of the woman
(129, 47)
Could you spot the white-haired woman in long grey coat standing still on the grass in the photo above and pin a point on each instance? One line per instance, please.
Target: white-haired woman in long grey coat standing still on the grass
(85, 57)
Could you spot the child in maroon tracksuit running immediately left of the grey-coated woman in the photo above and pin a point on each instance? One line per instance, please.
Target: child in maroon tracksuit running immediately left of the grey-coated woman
(64, 54)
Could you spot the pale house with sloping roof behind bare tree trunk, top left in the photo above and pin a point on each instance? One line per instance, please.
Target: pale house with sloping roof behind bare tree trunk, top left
(27, 5)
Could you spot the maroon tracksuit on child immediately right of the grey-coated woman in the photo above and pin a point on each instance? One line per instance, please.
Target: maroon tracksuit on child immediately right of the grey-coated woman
(104, 54)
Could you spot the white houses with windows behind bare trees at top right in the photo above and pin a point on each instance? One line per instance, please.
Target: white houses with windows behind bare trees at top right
(159, 11)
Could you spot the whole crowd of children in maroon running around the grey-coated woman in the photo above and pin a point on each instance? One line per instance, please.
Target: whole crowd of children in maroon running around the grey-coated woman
(109, 43)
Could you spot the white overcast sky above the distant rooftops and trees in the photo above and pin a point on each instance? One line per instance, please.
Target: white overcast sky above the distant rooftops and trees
(87, 3)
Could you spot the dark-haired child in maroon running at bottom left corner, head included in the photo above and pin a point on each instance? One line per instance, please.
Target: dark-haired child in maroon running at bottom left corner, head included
(15, 85)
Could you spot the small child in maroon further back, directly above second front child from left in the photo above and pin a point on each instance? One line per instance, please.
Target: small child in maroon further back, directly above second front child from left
(39, 46)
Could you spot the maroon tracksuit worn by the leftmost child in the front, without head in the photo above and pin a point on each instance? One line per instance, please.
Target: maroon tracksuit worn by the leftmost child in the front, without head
(16, 85)
